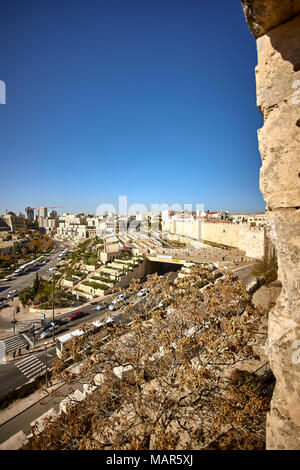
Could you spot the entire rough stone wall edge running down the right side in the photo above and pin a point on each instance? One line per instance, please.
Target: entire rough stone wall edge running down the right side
(276, 24)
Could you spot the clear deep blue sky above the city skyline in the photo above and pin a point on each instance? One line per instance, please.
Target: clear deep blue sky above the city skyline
(153, 99)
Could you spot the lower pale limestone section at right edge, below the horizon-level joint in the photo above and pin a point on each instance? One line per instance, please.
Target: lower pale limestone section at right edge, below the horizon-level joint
(283, 423)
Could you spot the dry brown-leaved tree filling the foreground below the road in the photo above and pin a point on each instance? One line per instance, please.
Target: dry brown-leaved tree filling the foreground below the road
(176, 378)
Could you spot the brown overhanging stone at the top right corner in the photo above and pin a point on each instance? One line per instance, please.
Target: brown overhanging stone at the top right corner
(263, 15)
